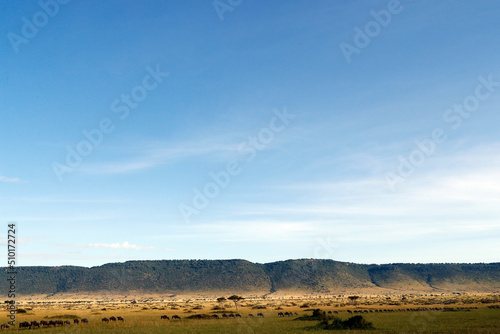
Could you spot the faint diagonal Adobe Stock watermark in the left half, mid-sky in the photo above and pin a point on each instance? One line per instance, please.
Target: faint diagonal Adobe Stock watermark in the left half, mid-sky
(120, 106)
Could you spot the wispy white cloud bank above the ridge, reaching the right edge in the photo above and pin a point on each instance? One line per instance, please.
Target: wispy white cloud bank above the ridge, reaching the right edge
(454, 195)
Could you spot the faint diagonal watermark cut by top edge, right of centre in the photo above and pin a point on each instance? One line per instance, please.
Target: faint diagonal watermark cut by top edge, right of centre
(372, 29)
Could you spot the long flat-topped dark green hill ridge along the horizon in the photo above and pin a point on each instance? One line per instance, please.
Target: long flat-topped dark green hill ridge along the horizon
(244, 277)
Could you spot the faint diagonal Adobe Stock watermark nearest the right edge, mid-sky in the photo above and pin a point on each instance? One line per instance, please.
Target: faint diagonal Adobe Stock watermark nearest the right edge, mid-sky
(454, 116)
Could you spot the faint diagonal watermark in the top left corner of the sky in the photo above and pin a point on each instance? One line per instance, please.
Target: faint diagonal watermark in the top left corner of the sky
(30, 28)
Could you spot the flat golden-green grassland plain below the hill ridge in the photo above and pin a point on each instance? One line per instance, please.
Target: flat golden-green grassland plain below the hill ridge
(456, 314)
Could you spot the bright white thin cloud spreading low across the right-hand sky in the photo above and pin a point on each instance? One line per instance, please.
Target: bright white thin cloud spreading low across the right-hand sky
(441, 196)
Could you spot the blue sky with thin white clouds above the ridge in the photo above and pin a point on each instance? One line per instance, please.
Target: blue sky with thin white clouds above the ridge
(388, 153)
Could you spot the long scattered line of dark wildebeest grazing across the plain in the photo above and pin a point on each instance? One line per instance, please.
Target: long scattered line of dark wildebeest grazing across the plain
(55, 323)
